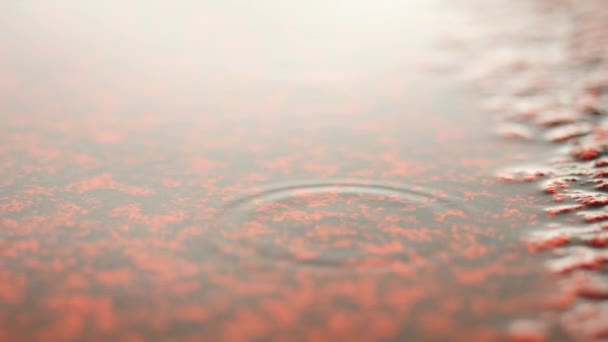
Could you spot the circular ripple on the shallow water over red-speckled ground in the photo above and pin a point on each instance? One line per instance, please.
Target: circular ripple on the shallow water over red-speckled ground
(336, 223)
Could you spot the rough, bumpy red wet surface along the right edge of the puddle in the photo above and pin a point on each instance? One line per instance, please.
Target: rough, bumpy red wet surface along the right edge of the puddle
(552, 88)
